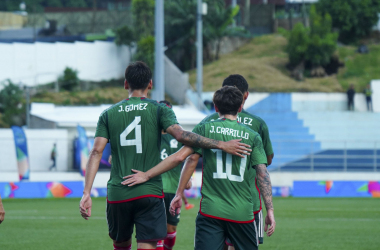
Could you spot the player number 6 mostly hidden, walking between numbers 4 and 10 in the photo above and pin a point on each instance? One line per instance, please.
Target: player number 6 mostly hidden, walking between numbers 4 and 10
(170, 179)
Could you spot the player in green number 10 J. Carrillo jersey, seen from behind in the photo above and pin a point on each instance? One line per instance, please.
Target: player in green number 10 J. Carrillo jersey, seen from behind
(226, 207)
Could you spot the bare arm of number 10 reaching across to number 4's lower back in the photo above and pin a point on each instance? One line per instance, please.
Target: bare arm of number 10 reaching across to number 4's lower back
(169, 163)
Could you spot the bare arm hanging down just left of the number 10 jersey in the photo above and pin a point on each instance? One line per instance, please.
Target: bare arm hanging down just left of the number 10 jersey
(187, 171)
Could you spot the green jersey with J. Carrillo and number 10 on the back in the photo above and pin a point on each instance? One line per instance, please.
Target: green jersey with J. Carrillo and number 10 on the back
(227, 180)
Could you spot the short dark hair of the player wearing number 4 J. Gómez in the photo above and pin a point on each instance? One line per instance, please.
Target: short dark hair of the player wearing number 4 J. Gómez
(138, 75)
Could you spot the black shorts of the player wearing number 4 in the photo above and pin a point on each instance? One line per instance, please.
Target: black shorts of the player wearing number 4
(148, 214)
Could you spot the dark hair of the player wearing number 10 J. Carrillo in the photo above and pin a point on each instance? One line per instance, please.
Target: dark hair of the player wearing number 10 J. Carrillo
(228, 100)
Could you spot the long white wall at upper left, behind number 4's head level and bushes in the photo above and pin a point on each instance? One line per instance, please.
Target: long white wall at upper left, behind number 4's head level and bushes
(40, 63)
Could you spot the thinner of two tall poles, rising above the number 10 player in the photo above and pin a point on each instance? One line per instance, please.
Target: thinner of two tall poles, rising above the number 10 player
(199, 53)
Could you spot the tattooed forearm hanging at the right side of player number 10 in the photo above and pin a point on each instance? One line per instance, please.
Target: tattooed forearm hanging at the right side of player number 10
(265, 185)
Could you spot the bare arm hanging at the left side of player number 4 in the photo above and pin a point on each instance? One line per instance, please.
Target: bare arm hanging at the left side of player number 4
(91, 170)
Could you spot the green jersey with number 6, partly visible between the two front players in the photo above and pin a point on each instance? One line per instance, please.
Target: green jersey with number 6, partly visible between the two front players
(170, 179)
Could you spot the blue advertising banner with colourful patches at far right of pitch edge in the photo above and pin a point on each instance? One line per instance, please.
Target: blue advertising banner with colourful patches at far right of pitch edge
(336, 189)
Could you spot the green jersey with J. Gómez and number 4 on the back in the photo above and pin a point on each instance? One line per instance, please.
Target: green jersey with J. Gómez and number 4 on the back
(134, 127)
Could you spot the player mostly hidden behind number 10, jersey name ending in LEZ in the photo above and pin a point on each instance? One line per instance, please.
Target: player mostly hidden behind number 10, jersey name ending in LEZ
(257, 124)
